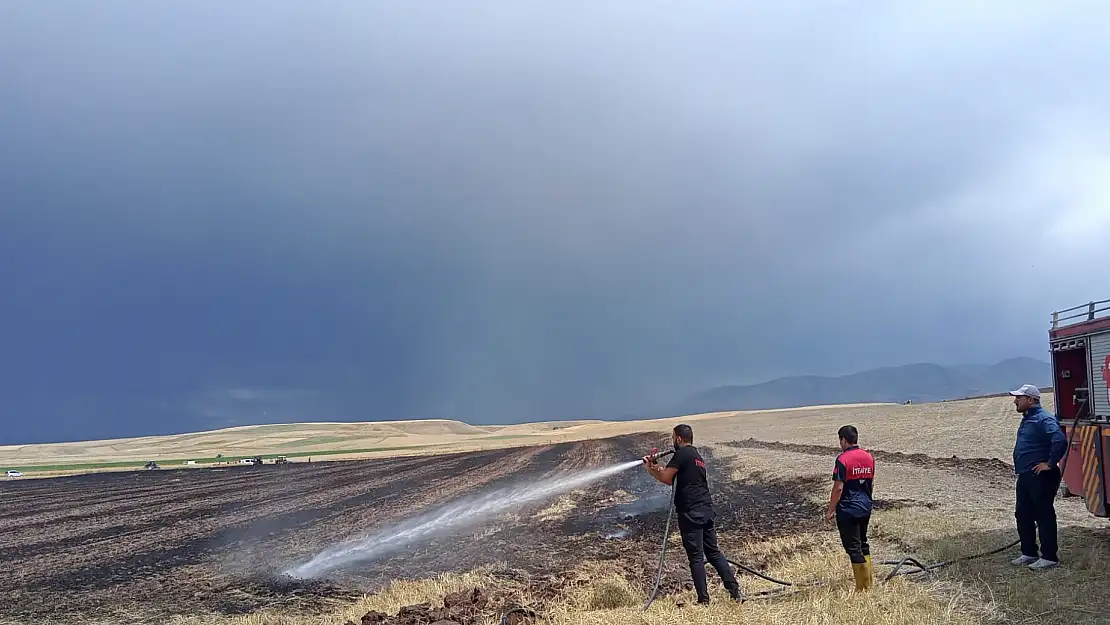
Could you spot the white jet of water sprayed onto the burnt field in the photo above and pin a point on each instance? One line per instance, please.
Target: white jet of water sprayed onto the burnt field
(451, 518)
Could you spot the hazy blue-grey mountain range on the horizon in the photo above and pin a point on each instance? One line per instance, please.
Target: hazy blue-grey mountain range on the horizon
(913, 382)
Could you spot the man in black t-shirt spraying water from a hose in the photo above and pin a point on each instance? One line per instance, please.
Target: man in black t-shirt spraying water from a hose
(694, 508)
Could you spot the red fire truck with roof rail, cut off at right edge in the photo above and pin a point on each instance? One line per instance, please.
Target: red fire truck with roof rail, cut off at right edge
(1081, 341)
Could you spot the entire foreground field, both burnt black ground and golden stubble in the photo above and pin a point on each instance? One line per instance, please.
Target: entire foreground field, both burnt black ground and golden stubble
(204, 547)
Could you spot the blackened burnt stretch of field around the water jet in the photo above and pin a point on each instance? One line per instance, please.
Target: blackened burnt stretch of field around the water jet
(214, 541)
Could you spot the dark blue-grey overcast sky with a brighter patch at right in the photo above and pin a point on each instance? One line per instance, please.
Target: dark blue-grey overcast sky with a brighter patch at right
(498, 211)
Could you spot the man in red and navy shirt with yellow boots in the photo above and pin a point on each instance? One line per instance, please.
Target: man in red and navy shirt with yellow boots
(851, 503)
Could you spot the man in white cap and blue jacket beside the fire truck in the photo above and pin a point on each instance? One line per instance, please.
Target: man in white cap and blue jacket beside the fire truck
(1037, 455)
